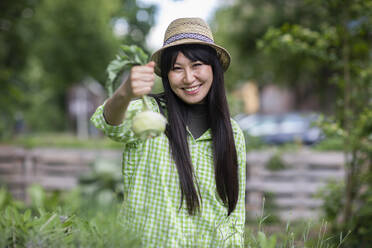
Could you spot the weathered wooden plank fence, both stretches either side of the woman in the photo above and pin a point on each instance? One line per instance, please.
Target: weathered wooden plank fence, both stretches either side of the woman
(293, 188)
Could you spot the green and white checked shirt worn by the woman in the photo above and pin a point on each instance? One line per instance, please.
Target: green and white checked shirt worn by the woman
(152, 191)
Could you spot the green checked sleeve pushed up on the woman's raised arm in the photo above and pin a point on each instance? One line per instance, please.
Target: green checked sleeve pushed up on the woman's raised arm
(121, 133)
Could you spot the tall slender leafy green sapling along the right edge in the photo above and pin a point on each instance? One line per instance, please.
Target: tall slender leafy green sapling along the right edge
(343, 43)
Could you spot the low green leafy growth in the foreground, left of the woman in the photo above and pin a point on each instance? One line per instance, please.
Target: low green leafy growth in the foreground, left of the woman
(34, 226)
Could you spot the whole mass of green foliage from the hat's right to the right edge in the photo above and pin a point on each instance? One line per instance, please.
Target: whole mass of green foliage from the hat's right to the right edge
(318, 48)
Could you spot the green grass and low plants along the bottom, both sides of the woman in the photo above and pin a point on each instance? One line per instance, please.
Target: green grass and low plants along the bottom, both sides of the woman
(78, 222)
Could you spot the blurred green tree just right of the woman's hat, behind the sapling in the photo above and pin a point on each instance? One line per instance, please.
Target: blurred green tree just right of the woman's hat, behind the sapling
(242, 24)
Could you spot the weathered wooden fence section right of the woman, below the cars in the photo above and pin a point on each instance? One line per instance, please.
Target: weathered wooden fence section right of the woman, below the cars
(293, 188)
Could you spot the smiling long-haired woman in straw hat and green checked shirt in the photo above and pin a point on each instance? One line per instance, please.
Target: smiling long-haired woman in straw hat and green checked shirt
(186, 187)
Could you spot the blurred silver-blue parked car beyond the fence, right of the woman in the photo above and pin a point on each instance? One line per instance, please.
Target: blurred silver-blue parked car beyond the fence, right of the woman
(281, 128)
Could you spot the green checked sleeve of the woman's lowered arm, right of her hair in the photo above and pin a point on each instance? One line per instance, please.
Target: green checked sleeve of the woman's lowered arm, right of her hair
(239, 213)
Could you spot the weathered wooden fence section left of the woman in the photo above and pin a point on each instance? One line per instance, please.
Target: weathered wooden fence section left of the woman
(54, 169)
